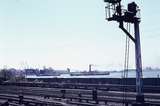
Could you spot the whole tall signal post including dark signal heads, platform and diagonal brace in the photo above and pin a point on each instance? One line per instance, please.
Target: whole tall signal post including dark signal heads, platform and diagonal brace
(114, 12)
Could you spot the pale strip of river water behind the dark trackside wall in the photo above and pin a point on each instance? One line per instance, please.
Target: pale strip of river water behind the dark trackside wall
(131, 74)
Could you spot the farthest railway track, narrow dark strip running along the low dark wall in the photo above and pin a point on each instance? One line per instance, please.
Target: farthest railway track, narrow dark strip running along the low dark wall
(86, 86)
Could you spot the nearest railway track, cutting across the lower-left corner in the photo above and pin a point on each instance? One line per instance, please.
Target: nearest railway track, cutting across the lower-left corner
(11, 96)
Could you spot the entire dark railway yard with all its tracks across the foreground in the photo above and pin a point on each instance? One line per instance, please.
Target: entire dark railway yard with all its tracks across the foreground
(56, 94)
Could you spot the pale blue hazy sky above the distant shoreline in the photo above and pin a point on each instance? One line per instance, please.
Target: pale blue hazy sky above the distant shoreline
(73, 34)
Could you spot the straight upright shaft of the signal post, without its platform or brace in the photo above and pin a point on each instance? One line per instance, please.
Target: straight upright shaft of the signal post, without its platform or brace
(139, 96)
